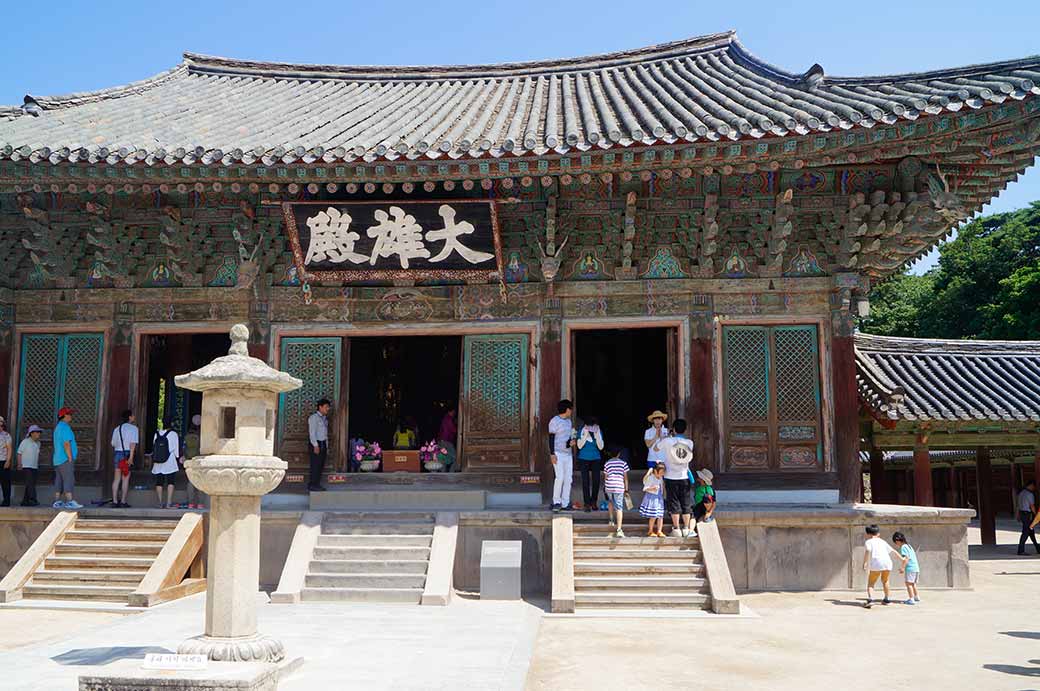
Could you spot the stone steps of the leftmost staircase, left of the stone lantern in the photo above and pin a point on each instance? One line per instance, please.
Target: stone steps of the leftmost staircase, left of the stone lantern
(102, 560)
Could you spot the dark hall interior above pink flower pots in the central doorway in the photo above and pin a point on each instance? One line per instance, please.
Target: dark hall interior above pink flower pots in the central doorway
(413, 379)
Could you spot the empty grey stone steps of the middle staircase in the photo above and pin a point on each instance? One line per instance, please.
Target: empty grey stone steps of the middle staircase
(371, 557)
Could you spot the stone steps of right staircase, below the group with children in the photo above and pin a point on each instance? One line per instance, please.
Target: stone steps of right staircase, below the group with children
(637, 573)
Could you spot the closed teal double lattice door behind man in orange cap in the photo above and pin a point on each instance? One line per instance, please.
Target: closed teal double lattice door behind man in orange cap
(59, 371)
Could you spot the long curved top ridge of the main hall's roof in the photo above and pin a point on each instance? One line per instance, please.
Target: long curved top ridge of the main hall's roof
(214, 64)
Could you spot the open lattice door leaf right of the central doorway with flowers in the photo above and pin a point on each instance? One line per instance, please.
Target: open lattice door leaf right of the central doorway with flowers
(496, 402)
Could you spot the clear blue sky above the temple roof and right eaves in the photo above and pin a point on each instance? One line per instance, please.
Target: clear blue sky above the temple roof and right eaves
(64, 47)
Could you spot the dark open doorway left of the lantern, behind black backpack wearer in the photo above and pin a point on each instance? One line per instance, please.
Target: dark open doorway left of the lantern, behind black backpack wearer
(165, 356)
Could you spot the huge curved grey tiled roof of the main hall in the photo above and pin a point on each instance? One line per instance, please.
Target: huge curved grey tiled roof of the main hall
(213, 110)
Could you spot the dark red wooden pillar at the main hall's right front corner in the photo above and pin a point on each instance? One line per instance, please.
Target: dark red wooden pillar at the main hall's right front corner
(846, 419)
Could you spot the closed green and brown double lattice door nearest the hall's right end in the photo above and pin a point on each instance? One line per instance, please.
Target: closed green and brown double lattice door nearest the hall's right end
(772, 398)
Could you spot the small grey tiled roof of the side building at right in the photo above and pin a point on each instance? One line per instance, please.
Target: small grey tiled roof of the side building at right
(920, 379)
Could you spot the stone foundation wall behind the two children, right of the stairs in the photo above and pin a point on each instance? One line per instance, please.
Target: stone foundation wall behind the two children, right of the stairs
(822, 549)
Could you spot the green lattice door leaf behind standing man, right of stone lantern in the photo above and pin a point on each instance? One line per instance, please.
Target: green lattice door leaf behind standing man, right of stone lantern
(319, 364)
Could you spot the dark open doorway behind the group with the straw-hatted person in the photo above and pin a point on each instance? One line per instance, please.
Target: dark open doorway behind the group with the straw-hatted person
(620, 376)
